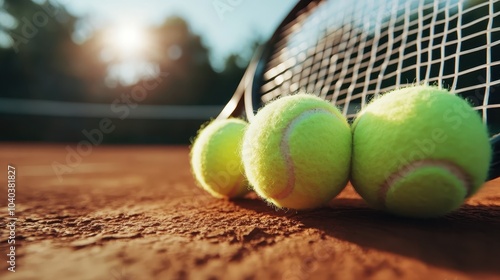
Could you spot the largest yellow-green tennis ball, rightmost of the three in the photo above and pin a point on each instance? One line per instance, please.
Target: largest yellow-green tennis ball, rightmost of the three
(419, 151)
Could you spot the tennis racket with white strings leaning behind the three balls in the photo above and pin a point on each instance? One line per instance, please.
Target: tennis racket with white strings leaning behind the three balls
(348, 52)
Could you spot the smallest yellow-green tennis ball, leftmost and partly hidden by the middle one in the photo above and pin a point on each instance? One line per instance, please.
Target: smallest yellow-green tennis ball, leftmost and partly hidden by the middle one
(216, 161)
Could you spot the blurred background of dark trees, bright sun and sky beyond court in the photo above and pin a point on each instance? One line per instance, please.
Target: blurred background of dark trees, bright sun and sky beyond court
(138, 71)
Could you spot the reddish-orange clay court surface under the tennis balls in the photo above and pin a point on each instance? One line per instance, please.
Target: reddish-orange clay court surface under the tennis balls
(133, 212)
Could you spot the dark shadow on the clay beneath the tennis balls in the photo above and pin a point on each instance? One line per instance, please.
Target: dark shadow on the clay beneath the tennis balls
(467, 240)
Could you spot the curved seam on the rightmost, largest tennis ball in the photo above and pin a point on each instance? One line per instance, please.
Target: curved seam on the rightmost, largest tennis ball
(448, 166)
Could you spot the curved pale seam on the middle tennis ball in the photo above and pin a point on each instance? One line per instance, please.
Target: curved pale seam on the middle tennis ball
(285, 149)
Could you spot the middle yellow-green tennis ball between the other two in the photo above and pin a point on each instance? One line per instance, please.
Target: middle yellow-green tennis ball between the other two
(297, 152)
